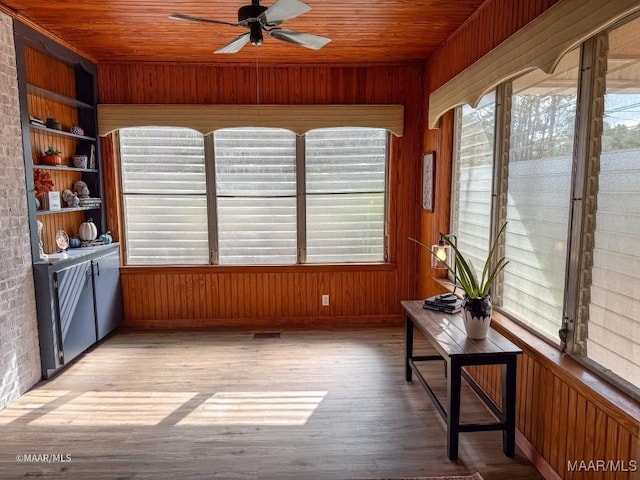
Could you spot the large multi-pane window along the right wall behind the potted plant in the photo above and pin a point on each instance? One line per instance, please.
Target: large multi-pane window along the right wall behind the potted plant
(573, 211)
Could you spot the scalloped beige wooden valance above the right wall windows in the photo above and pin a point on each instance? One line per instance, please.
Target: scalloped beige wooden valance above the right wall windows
(540, 44)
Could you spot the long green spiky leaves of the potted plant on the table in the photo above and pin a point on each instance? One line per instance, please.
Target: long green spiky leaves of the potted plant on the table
(464, 274)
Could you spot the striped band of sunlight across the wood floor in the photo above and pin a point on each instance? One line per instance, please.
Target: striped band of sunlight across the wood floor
(118, 408)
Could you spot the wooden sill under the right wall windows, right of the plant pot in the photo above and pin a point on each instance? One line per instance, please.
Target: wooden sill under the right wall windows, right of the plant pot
(611, 399)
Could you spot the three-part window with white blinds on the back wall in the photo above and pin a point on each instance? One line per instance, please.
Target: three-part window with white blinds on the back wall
(256, 196)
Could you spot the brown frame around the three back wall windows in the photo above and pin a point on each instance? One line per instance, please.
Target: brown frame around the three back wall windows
(300, 201)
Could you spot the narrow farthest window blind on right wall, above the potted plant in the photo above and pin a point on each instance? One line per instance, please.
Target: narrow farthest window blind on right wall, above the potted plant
(474, 181)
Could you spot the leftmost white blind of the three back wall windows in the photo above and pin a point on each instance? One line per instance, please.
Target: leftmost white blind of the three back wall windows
(164, 196)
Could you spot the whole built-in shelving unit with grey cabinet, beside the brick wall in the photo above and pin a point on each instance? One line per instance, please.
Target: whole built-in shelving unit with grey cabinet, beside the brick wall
(78, 293)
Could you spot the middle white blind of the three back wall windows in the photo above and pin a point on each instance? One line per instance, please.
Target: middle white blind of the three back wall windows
(256, 196)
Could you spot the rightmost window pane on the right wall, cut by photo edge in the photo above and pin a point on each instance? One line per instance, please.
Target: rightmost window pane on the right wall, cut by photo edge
(614, 312)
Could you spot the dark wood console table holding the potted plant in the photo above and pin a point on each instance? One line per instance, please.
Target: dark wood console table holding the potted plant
(448, 336)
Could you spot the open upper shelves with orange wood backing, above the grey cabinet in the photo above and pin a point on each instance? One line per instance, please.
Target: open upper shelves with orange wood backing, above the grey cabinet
(55, 82)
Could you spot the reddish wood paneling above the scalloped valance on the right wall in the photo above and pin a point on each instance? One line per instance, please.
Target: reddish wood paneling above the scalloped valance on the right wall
(492, 23)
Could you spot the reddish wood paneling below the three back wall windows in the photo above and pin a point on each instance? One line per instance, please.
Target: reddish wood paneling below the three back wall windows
(258, 296)
